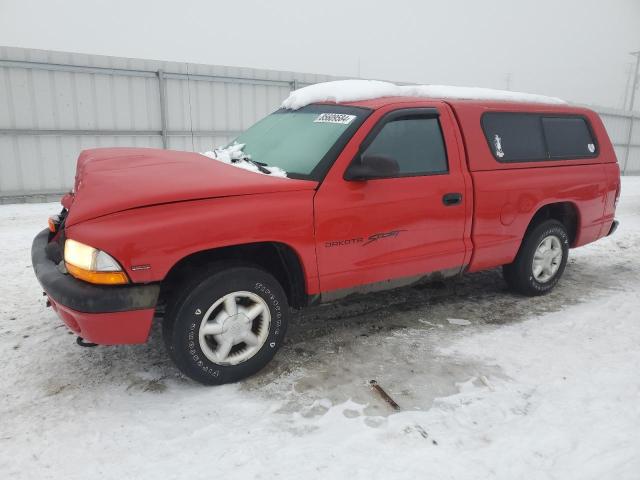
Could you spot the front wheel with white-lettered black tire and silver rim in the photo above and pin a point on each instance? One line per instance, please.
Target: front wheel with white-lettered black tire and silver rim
(226, 325)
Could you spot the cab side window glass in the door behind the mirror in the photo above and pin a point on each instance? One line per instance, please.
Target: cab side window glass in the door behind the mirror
(416, 143)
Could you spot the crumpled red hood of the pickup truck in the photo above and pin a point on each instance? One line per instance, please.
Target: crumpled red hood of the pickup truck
(110, 180)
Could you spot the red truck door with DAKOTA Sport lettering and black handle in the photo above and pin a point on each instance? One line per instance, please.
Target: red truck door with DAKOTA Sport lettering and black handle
(407, 225)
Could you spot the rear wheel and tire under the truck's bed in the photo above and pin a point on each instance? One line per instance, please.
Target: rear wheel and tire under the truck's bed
(540, 261)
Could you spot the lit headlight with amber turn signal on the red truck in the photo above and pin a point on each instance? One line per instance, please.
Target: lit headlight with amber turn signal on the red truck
(92, 265)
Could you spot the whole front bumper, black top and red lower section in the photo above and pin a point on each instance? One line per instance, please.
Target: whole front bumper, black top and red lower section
(100, 314)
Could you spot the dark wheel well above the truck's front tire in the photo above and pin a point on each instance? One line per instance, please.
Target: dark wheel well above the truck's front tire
(278, 259)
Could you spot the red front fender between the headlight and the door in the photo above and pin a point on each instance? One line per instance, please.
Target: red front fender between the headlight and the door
(149, 241)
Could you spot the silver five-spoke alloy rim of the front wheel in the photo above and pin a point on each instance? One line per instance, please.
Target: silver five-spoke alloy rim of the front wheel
(234, 328)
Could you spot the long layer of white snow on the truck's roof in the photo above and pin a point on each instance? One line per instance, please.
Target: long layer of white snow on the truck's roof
(355, 90)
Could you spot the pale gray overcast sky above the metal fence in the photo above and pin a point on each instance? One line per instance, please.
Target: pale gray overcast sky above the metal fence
(574, 49)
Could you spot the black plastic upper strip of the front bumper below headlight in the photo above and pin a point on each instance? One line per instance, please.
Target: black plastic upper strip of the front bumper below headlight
(85, 297)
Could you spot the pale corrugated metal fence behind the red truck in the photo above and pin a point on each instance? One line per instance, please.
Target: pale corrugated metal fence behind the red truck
(54, 104)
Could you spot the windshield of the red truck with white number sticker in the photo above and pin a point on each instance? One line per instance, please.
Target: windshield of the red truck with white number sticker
(304, 142)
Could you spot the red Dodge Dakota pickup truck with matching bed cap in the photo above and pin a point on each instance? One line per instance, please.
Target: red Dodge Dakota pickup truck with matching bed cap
(313, 204)
